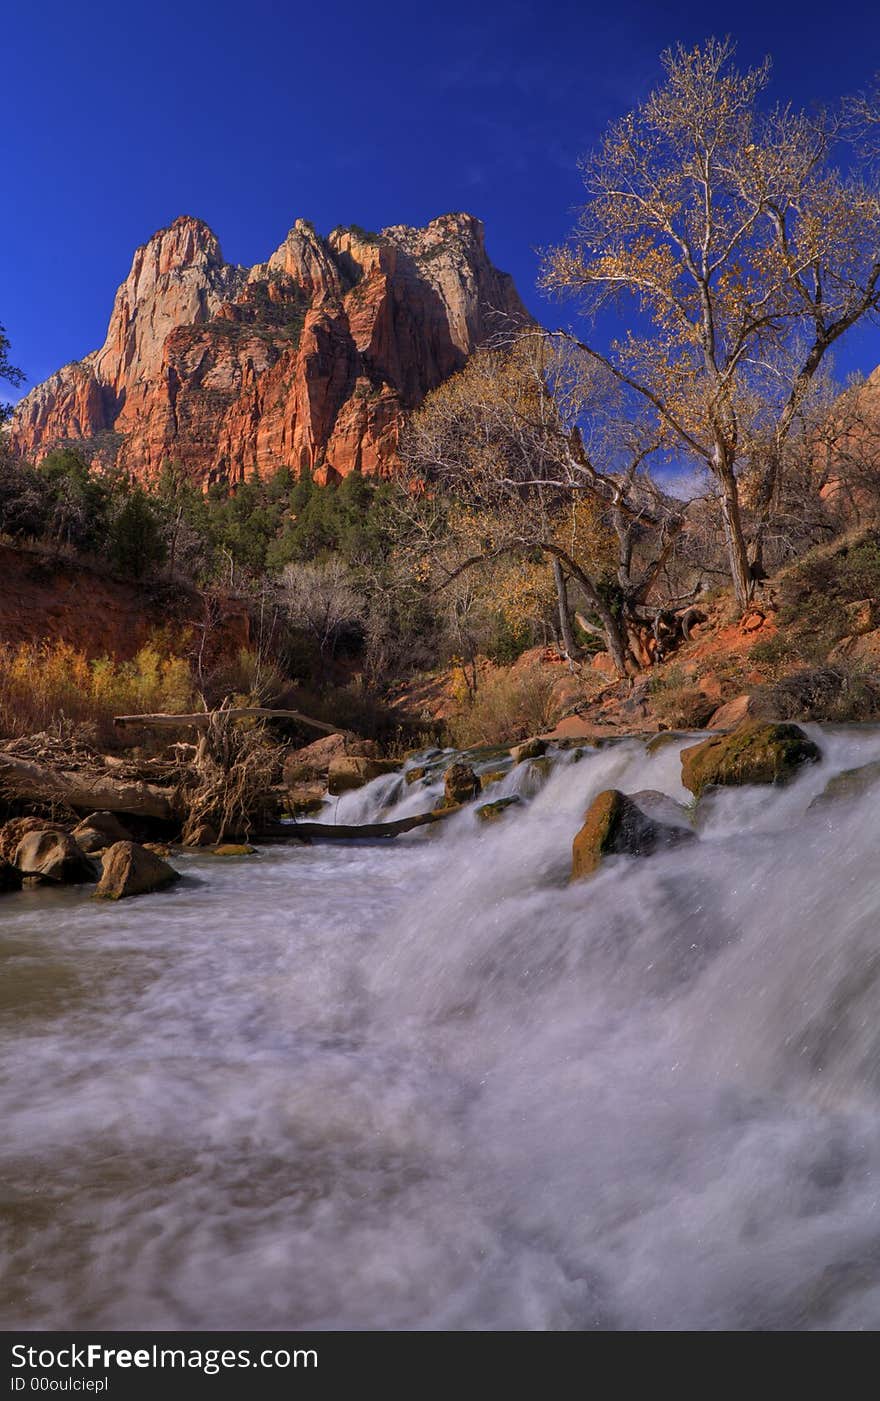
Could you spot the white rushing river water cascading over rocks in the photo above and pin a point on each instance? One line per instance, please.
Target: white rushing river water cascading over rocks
(431, 1085)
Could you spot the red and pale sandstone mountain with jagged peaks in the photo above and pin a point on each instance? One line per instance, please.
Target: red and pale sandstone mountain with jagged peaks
(308, 361)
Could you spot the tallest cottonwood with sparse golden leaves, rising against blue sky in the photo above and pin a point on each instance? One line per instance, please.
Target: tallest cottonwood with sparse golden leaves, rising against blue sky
(731, 232)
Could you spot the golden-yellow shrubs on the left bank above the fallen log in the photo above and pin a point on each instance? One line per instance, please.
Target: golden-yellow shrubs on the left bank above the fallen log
(46, 684)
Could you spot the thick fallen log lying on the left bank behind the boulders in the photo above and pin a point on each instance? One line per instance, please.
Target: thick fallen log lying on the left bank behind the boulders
(83, 792)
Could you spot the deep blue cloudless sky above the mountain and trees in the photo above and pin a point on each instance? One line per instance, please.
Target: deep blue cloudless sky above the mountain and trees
(118, 118)
